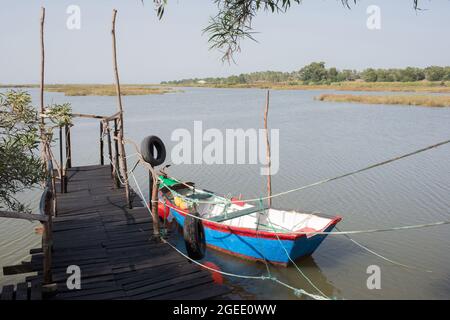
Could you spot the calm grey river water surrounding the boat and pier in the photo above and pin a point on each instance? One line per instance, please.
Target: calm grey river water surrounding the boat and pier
(317, 140)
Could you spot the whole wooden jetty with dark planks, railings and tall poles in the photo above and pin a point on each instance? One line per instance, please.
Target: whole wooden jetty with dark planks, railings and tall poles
(93, 221)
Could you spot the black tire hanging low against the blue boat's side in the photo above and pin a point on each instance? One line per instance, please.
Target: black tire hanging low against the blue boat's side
(194, 237)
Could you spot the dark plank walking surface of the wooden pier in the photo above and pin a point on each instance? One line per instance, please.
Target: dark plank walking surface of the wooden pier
(111, 244)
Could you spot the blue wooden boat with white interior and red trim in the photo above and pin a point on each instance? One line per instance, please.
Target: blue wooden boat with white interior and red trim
(245, 230)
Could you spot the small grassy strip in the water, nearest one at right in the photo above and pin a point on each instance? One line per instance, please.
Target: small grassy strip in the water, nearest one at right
(410, 100)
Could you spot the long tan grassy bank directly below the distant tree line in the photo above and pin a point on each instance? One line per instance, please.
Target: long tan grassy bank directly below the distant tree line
(418, 86)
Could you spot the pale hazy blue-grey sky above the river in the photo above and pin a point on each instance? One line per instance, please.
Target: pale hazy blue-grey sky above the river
(150, 50)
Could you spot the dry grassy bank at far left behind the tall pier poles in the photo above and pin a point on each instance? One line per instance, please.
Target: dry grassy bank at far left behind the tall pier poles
(98, 89)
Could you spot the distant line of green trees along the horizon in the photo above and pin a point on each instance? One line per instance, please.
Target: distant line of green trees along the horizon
(317, 73)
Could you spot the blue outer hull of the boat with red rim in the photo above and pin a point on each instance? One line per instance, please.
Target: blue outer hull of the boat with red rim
(248, 244)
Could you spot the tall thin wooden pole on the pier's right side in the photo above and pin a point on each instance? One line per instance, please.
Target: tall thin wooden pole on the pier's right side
(122, 156)
